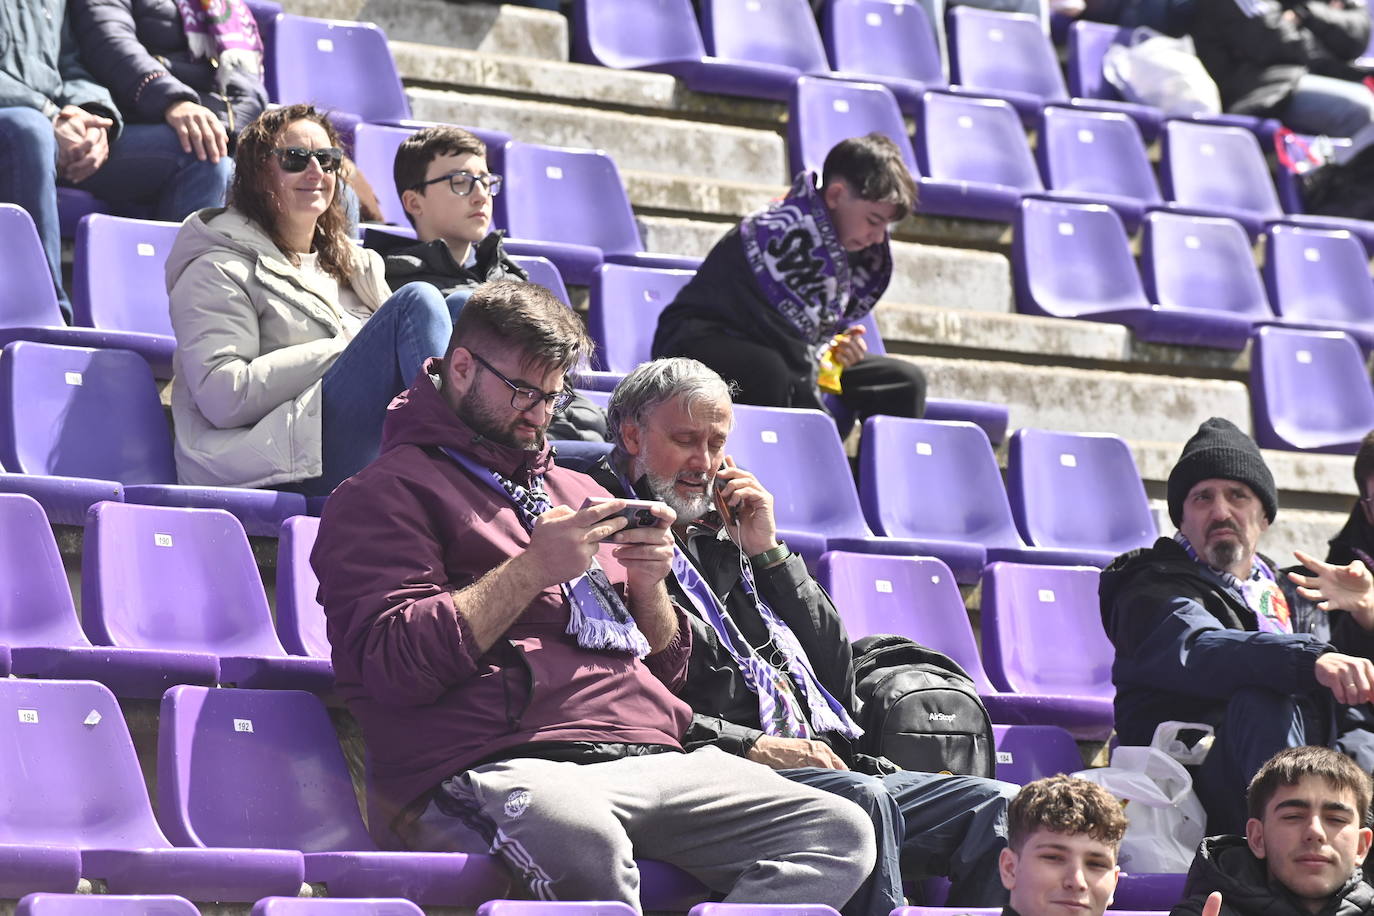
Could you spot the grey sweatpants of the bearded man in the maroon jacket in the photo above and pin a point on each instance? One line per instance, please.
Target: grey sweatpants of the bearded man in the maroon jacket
(572, 832)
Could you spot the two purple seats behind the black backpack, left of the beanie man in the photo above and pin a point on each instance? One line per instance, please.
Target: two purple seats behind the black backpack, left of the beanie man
(1031, 615)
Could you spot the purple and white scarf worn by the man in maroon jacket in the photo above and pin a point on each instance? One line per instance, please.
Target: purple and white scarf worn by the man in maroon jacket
(596, 615)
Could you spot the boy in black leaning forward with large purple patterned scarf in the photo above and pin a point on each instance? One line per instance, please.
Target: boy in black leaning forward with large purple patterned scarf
(789, 286)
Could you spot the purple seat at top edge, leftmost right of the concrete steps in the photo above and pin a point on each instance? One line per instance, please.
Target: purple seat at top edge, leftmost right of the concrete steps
(623, 35)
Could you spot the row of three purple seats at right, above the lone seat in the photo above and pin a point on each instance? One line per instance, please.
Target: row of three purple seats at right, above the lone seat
(1197, 282)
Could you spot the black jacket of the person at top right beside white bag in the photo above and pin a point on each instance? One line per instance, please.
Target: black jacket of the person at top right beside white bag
(1257, 56)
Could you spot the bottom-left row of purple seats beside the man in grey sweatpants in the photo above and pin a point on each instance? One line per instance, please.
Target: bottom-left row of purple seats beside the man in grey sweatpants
(244, 825)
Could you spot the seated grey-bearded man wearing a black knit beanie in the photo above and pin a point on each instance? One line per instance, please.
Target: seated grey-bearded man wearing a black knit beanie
(1204, 634)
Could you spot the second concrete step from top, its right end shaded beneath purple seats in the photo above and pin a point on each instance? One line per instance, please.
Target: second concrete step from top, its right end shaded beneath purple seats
(423, 62)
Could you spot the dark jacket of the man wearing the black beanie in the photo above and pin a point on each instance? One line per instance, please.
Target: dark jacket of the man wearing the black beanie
(1185, 642)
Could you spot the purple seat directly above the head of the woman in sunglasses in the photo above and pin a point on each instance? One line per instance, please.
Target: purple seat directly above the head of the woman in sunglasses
(340, 67)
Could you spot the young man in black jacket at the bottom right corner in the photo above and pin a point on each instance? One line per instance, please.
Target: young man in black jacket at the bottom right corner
(1303, 848)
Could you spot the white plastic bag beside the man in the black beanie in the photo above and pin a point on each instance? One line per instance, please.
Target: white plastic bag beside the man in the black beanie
(1164, 818)
